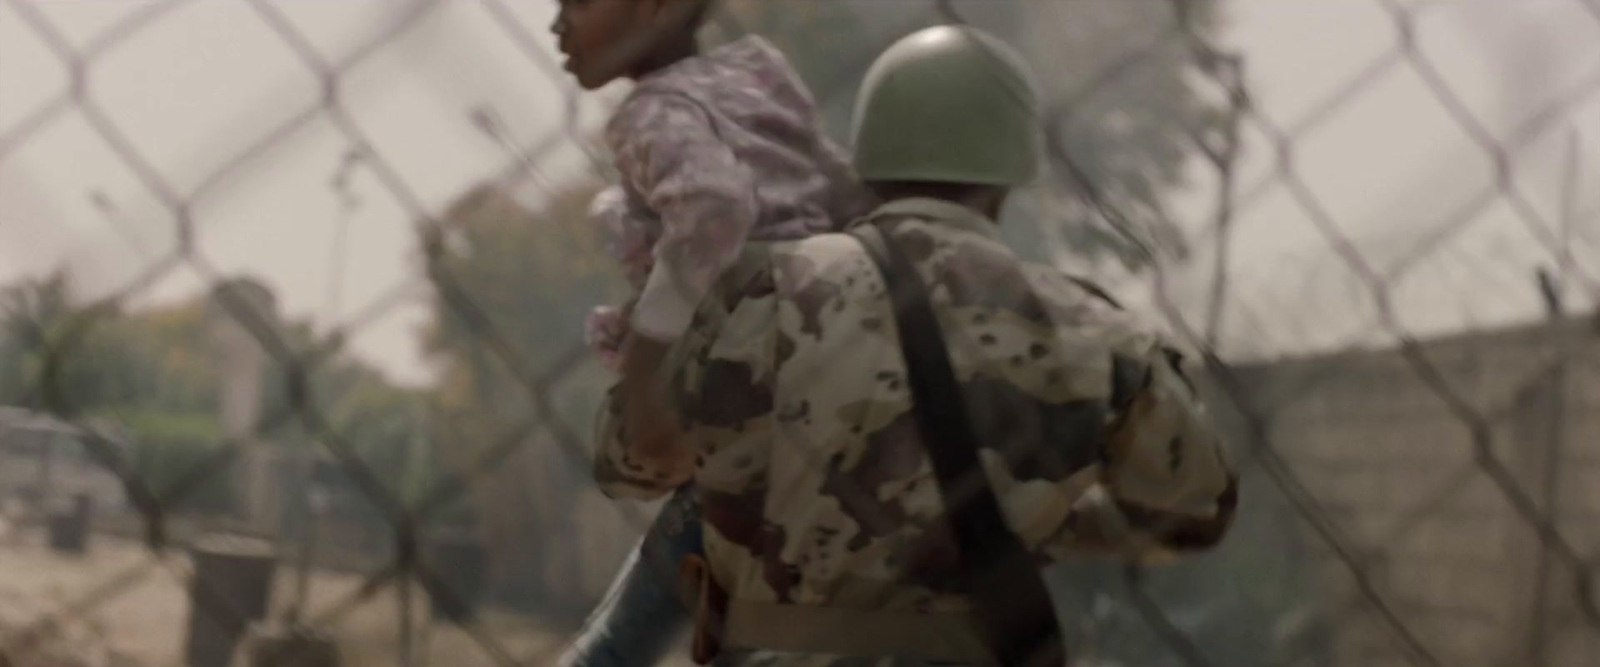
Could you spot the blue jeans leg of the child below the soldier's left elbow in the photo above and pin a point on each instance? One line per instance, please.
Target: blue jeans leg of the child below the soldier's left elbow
(642, 613)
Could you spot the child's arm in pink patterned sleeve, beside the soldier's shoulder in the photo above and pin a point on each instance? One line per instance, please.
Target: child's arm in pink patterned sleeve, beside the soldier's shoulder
(670, 153)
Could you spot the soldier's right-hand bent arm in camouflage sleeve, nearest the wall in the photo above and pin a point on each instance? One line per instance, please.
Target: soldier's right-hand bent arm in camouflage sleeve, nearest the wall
(1158, 481)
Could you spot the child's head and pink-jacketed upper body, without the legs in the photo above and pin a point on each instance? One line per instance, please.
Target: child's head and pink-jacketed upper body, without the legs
(714, 150)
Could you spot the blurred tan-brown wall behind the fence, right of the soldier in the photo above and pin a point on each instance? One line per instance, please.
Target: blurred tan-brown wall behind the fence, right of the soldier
(1431, 469)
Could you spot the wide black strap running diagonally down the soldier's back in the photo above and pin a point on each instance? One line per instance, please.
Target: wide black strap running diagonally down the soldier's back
(1006, 585)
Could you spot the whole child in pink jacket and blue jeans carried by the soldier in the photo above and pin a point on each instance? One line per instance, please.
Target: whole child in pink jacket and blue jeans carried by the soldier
(714, 151)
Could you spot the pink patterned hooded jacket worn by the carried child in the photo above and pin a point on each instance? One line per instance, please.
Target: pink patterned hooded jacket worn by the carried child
(718, 151)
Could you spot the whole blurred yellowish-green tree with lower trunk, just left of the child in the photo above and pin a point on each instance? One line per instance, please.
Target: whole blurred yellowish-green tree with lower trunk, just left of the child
(513, 287)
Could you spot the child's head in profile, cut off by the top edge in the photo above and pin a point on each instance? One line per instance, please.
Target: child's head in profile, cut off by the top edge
(606, 41)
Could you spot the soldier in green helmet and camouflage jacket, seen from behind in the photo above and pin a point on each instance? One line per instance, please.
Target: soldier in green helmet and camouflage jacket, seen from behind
(834, 529)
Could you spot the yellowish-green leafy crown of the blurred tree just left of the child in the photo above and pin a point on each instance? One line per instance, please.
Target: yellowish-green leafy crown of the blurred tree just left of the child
(513, 290)
